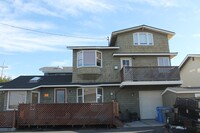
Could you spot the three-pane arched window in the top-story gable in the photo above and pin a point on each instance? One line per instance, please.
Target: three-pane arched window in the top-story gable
(143, 38)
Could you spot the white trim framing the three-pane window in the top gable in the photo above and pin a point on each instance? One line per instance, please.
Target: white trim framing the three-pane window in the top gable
(138, 37)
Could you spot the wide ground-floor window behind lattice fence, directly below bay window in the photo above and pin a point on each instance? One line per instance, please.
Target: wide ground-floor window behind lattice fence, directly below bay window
(89, 95)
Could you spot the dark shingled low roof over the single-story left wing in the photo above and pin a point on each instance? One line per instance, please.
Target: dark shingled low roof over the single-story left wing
(25, 83)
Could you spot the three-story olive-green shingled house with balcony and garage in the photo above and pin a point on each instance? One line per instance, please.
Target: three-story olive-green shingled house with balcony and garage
(133, 71)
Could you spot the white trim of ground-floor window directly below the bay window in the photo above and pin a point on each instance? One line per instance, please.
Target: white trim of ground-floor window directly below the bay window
(83, 94)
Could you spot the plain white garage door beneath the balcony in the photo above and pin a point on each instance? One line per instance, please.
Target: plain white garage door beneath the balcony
(149, 100)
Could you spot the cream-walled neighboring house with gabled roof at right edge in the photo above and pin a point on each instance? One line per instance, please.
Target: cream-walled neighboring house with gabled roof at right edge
(190, 70)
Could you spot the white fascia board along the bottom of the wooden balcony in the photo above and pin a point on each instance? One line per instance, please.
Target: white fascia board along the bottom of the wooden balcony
(129, 83)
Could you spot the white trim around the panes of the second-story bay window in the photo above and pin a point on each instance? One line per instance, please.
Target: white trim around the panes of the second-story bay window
(82, 51)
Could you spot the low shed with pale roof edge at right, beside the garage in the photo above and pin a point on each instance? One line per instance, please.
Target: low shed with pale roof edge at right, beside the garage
(171, 93)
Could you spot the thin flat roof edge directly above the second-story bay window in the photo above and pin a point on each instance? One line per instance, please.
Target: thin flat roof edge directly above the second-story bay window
(91, 47)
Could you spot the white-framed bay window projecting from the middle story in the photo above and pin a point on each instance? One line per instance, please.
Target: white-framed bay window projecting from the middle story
(89, 58)
